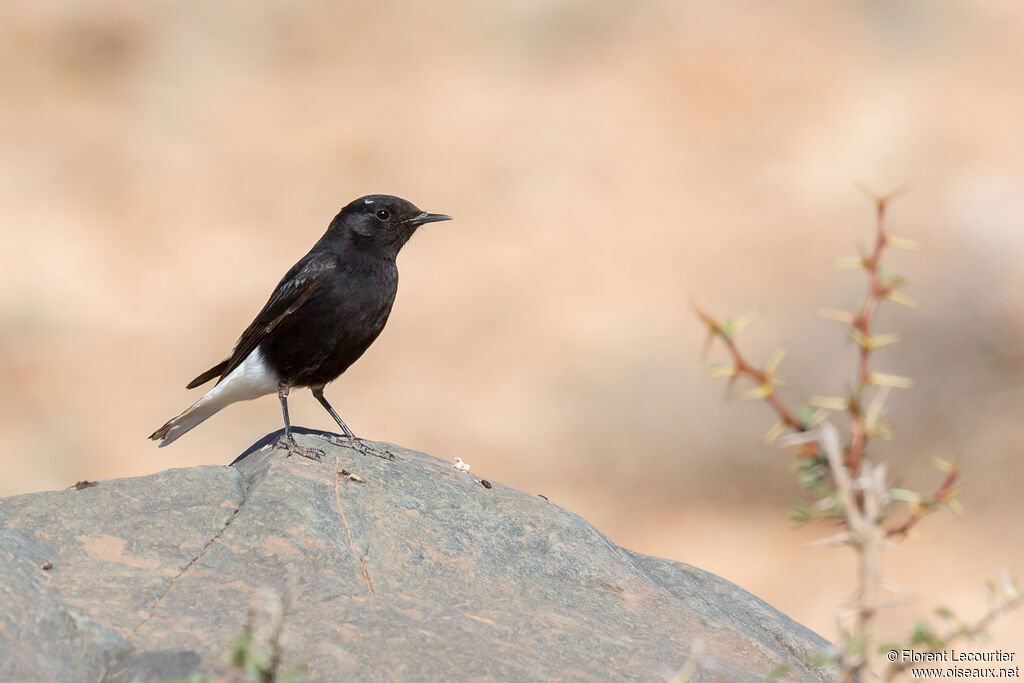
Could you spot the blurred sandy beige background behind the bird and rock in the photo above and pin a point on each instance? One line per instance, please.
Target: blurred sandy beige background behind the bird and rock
(163, 164)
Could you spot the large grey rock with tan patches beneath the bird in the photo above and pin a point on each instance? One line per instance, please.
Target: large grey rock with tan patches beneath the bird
(417, 572)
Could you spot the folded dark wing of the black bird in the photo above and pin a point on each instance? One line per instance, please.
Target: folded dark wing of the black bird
(293, 291)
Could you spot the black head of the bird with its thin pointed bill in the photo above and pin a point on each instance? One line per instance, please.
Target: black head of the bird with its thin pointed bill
(380, 222)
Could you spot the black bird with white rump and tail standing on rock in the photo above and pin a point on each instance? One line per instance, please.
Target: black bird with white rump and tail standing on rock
(325, 313)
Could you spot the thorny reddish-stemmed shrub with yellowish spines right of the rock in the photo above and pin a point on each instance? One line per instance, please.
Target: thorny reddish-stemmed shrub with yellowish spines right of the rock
(842, 483)
